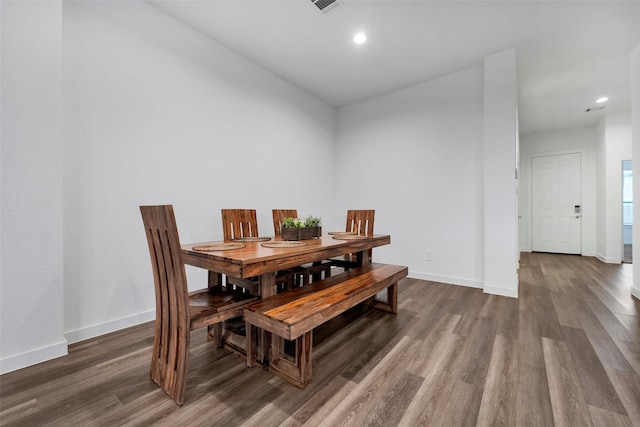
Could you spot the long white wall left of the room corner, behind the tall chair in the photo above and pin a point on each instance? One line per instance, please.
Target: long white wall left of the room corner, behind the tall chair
(154, 112)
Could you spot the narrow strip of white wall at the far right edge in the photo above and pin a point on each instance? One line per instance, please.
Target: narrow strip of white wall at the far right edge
(635, 132)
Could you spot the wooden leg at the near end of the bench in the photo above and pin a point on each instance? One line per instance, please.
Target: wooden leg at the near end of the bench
(296, 370)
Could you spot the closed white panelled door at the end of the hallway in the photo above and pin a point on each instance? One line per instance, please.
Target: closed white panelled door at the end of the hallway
(556, 207)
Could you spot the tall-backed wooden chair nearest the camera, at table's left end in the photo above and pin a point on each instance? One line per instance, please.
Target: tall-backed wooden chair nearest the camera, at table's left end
(179, 311)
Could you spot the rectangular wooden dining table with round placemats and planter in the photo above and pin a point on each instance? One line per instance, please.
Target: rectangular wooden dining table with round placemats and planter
(256, 260)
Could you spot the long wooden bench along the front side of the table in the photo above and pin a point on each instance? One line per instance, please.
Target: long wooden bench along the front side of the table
(294, 314)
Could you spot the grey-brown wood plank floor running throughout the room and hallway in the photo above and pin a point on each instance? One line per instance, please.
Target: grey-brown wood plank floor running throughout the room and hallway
(566, 353)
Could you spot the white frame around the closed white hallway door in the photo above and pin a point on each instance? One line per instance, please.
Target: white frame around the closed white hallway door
(527, 214)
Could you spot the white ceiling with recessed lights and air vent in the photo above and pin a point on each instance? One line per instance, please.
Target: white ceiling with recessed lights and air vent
(569, 52)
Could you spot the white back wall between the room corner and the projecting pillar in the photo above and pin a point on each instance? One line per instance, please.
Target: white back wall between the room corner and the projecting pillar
(414, 156)
